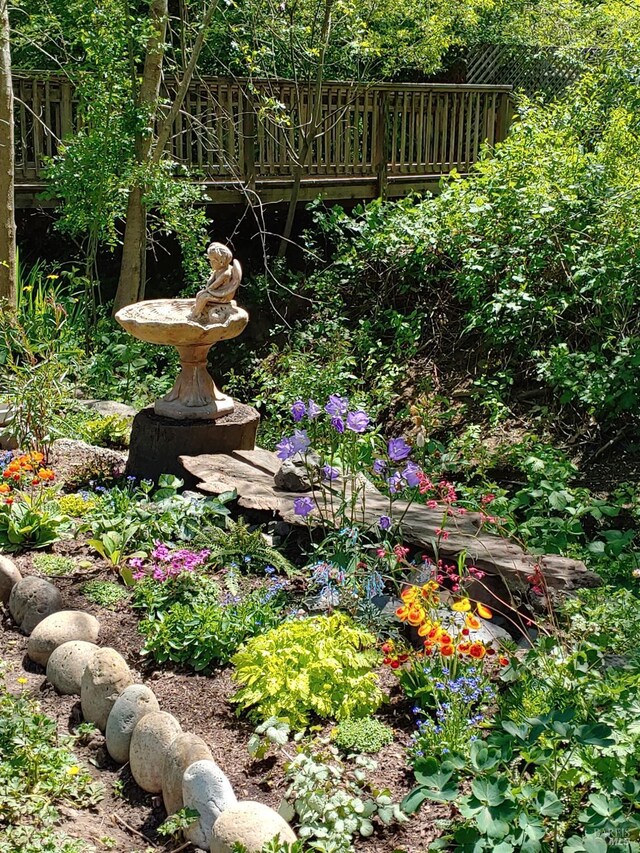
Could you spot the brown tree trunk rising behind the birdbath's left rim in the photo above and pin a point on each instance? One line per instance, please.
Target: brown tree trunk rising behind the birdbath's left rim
(130, 284)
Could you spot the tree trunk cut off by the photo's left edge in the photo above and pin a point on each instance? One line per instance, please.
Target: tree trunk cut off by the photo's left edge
(7, 157)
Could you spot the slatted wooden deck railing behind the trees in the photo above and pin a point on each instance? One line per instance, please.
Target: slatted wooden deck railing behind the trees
(232, 133)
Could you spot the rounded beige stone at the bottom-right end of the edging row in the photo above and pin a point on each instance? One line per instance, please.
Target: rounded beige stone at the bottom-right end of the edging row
(250, 824)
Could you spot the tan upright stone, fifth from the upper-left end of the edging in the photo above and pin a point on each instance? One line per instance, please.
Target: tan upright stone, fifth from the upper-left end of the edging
(105, 677)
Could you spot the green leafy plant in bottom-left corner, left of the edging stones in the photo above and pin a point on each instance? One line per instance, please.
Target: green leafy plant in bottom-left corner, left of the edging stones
(38, 773)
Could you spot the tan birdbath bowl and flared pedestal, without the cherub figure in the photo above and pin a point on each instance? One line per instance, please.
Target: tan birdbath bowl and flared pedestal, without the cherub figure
(170, 322)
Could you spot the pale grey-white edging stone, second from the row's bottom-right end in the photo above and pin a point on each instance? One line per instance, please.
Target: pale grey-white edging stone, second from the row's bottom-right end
(206, 789)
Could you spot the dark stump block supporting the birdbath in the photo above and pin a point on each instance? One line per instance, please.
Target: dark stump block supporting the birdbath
(157, 442)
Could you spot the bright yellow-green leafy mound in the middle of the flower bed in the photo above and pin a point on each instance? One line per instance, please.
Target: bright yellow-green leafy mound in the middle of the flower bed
(320, 666)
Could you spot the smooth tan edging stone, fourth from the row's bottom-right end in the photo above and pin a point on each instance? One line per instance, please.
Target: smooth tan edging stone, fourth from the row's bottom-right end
(150, 741)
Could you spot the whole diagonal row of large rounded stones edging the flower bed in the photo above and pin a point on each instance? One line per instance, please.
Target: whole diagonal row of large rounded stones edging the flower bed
(162, 758)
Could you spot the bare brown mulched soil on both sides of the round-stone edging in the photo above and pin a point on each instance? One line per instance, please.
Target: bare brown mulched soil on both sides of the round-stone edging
(130, 816)
